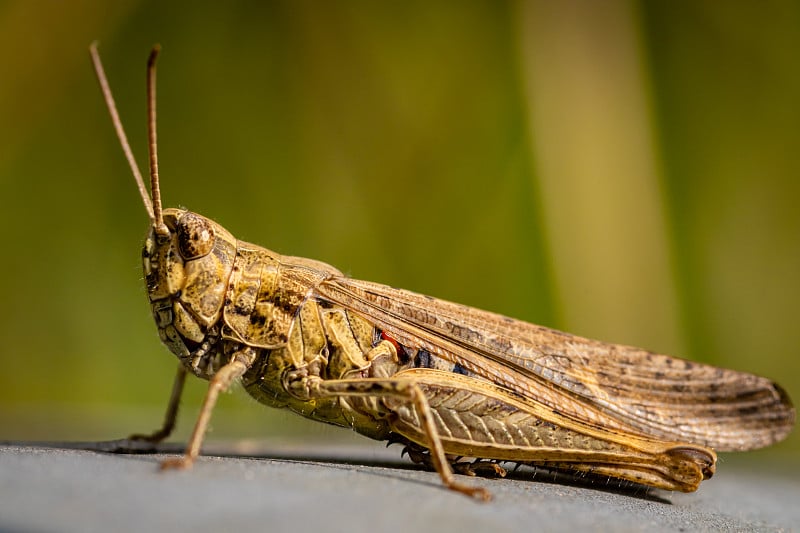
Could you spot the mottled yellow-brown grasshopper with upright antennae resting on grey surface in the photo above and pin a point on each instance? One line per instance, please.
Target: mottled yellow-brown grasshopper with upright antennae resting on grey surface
(449, 381)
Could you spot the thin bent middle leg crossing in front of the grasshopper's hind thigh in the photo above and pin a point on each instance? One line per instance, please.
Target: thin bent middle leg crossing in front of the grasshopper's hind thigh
(313, 387)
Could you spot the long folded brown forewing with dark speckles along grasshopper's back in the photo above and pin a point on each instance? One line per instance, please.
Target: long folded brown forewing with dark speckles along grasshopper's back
(611, 385)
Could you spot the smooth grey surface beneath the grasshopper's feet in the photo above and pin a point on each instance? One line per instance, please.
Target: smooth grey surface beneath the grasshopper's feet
(72, 487)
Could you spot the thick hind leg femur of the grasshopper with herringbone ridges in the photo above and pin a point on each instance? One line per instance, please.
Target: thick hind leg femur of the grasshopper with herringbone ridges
(475, 419)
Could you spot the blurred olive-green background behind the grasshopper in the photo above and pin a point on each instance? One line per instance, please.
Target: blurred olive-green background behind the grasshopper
(626, 171)
